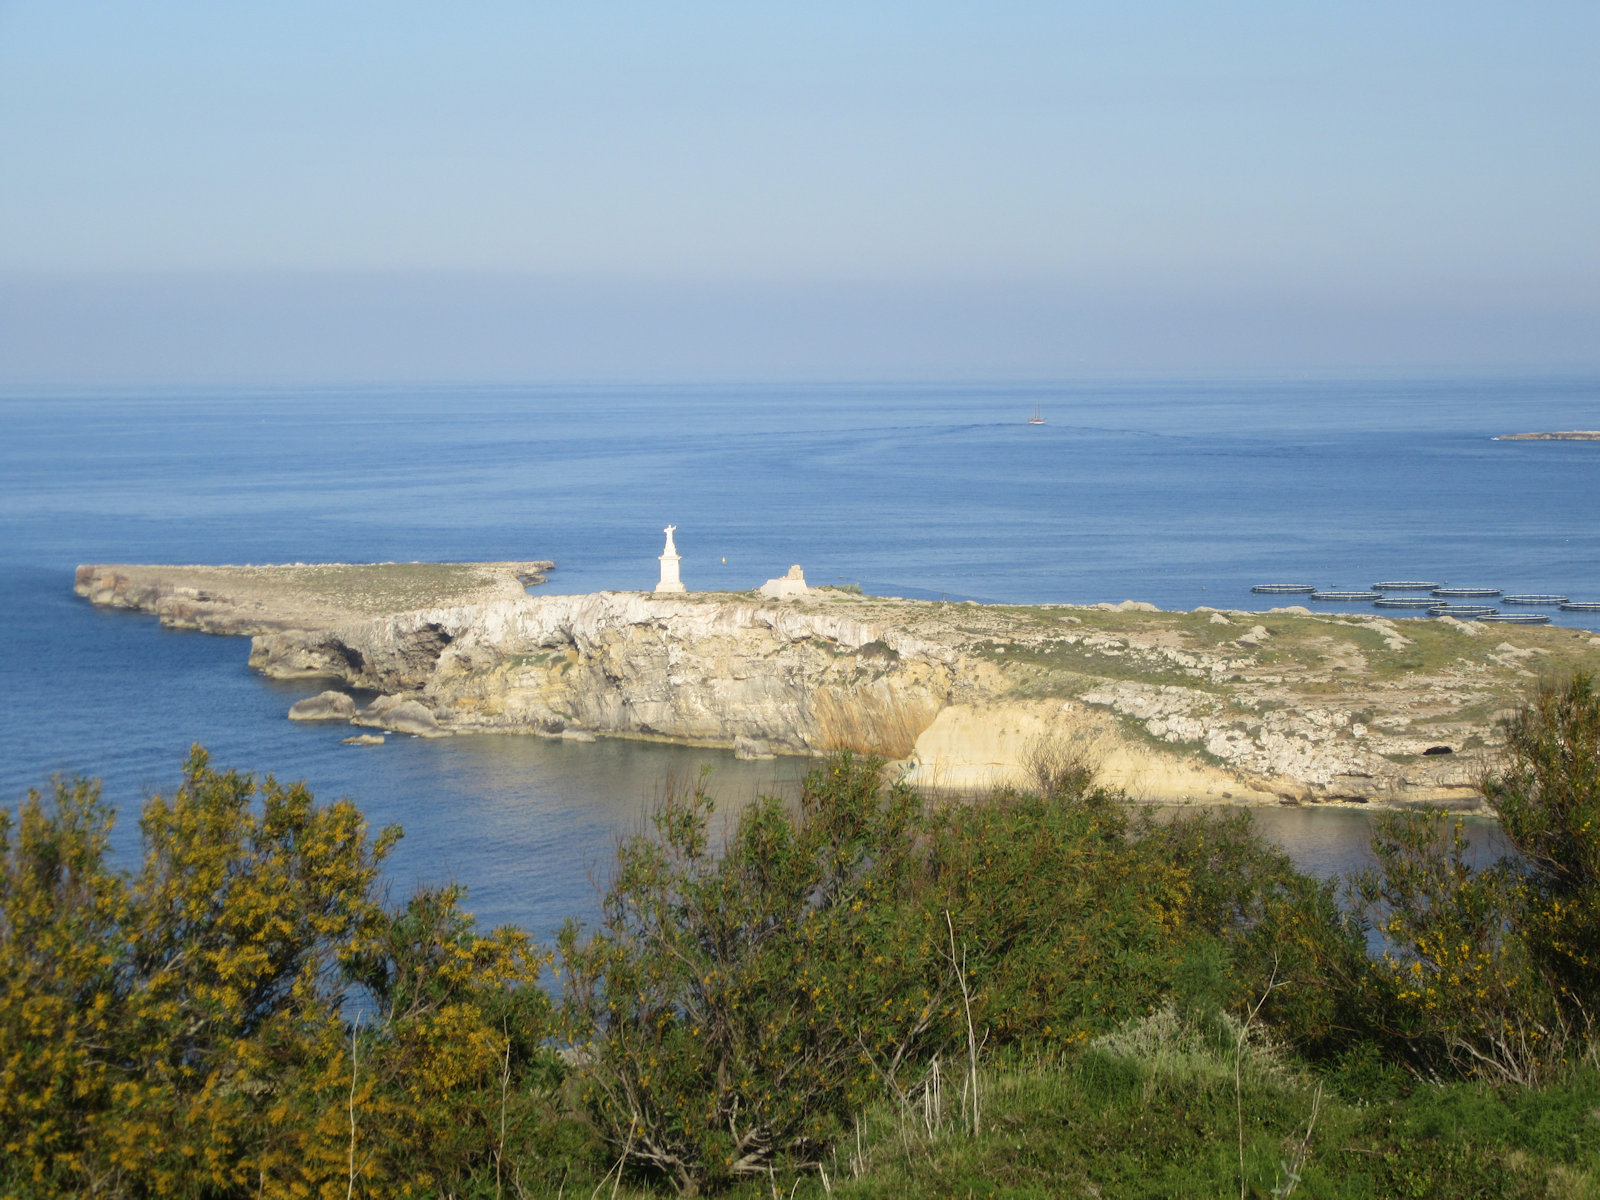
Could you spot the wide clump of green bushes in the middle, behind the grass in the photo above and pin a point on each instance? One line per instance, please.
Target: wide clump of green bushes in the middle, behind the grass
(738, 1009)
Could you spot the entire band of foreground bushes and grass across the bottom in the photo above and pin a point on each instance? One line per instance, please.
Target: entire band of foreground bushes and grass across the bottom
(1030, 993)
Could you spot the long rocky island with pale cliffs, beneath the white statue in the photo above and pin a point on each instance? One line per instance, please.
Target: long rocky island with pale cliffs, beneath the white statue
(1207, 706)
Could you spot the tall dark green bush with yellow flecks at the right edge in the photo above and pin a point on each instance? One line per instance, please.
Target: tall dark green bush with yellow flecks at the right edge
(1494, 972)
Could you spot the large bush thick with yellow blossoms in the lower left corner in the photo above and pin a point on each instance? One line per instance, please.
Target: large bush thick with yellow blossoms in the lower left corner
(183, 1033)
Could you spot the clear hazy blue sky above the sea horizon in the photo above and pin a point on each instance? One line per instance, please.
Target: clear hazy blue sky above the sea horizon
(529, 191)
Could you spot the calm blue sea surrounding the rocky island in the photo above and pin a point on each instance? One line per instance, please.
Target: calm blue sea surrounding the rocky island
(1178, 494)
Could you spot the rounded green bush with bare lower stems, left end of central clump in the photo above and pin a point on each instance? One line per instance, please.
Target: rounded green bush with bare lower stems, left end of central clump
(737, 1009)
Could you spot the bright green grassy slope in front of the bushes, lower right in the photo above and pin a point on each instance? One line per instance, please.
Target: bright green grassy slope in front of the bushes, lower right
(1154, 1113)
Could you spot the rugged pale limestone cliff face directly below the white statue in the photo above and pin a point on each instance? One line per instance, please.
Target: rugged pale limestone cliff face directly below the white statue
(758, 678)
